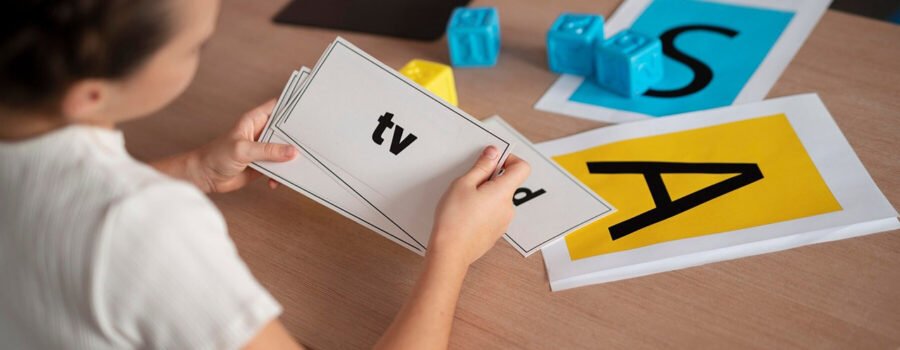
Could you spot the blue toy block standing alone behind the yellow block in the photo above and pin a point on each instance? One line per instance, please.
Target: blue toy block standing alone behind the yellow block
(473, 35)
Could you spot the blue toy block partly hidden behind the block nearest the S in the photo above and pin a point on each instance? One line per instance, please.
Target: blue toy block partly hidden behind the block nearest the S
(570, 43)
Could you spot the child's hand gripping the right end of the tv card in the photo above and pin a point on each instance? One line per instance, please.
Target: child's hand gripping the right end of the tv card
(475, 211)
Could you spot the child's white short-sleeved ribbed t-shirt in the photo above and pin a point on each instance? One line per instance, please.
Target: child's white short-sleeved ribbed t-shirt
(99, 251)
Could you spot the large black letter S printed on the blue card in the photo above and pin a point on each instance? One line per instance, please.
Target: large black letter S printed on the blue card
(702, 73)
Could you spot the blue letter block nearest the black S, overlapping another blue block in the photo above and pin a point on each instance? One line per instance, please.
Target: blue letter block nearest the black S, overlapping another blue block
(628, 63)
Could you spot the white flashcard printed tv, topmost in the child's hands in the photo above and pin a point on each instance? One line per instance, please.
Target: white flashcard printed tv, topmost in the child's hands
(395, 144)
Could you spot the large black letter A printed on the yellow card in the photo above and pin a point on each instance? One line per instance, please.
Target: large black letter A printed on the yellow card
(747, 173)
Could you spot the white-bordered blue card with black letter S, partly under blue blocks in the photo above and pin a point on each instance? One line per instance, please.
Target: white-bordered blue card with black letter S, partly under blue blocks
(716, 53)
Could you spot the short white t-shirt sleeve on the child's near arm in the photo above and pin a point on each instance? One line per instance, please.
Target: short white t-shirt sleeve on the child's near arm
(168, 275)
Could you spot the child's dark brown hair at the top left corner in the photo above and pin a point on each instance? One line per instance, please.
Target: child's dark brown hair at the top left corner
(47, 45)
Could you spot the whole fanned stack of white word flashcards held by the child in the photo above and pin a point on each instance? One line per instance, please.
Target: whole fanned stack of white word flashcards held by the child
(381, 150)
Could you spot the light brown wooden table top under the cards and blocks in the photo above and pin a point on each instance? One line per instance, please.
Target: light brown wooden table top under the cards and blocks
(341, 284)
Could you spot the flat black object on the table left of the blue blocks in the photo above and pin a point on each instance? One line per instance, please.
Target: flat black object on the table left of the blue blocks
(410, 19)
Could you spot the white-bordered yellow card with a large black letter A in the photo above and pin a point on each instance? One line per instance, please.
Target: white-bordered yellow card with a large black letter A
(711, 186)
